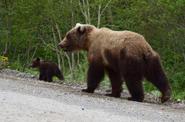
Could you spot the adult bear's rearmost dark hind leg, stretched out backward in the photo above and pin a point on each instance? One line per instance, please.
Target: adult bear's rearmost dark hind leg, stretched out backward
(156, 75)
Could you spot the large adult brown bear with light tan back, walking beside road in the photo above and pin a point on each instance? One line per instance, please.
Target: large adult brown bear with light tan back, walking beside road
(123, 55)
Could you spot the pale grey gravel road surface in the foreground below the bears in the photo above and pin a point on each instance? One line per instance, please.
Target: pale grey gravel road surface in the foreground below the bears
(36, 101)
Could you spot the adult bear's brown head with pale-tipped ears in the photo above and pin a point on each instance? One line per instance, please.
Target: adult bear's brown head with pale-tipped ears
(77, 38)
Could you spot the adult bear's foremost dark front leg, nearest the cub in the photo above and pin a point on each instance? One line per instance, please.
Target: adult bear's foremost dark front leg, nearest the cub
(95, 75)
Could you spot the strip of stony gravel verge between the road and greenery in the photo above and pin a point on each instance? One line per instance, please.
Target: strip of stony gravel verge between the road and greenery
(76, 88)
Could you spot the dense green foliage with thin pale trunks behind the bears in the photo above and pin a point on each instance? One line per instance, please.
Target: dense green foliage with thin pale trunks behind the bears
(33, 28)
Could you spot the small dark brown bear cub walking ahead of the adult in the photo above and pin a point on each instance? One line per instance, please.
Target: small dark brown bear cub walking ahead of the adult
(47, 70)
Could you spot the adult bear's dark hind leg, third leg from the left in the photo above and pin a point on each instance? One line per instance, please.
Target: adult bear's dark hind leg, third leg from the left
(132, 71)
